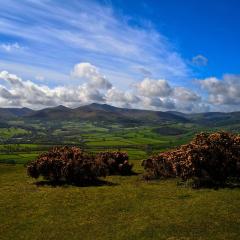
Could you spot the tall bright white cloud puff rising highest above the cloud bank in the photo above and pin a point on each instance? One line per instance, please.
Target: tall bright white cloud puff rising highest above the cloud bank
(92, 74)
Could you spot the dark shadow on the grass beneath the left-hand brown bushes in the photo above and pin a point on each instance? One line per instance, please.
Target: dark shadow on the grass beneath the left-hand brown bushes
(95, 183)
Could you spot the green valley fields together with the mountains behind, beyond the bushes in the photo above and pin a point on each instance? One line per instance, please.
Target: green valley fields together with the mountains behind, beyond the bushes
(25, 133)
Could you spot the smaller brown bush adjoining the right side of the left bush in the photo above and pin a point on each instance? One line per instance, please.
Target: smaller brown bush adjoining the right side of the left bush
(116, 162)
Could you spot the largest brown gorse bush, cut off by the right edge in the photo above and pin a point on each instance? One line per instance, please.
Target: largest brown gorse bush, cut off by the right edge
(209, 159)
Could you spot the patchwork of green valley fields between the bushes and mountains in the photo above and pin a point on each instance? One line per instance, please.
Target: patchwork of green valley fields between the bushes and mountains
(139, 141)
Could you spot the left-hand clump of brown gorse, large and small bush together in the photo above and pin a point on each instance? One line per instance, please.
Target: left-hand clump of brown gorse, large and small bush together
(73, 165)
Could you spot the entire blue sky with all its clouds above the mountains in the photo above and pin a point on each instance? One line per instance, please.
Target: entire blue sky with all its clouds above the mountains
(166, 55)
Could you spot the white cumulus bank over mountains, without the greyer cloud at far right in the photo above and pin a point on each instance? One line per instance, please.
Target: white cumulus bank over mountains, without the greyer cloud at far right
(148, 94)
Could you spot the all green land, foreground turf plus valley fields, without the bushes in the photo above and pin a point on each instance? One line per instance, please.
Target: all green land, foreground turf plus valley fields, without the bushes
(122, 207)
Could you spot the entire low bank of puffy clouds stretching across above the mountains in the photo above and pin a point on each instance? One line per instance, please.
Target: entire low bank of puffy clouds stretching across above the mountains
(156, 94)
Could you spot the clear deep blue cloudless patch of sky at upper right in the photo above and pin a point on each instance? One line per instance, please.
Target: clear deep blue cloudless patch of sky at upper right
(196, 27)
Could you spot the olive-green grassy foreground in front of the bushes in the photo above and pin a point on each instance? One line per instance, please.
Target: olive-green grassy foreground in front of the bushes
(129, 208)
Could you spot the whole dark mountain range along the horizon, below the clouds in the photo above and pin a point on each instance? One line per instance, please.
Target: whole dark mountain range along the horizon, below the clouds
(111, 114)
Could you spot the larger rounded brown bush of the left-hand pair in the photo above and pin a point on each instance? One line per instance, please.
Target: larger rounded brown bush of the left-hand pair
(67, 163)
